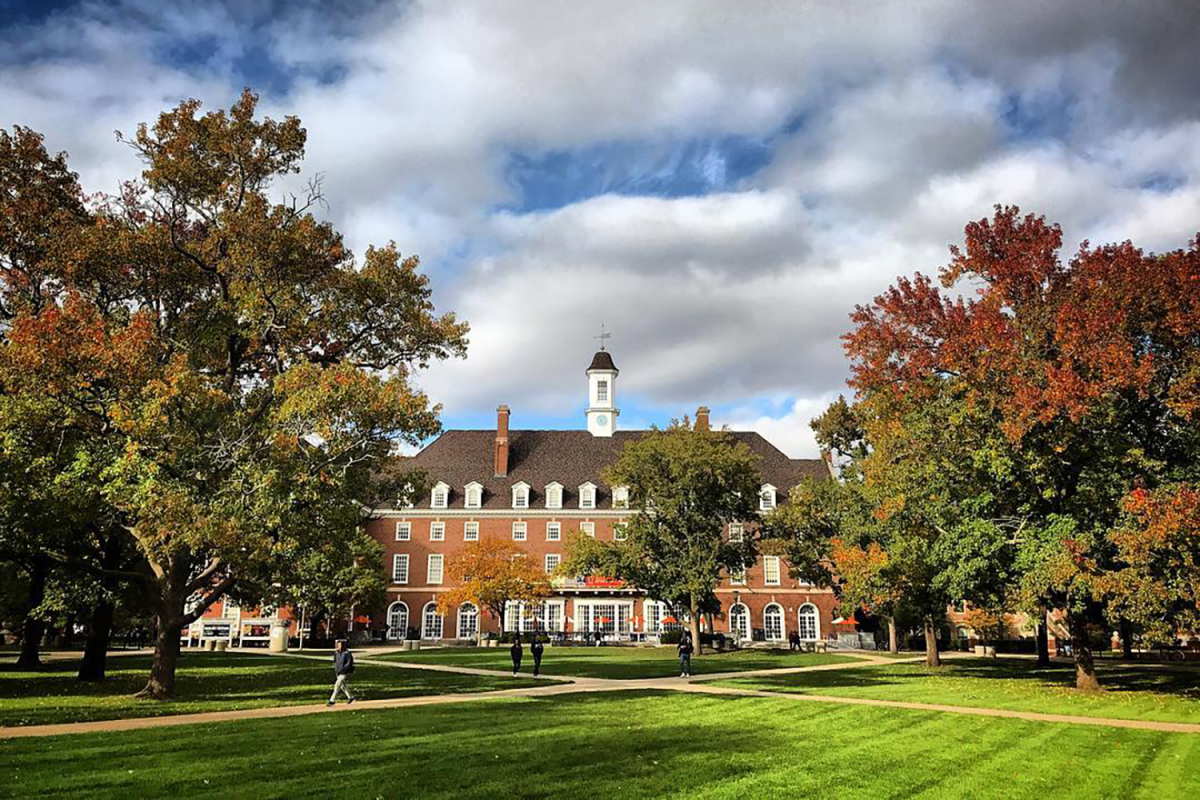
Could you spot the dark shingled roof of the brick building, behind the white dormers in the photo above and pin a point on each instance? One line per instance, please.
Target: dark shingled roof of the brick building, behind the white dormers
(569, 458)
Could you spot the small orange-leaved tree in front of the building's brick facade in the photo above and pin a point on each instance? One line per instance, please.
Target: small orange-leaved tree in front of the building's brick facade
(490, 575)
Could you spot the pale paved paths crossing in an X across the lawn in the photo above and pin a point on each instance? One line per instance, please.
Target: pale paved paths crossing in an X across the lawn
(697, 684)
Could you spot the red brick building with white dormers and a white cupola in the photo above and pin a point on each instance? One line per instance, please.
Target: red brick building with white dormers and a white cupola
(535, 488)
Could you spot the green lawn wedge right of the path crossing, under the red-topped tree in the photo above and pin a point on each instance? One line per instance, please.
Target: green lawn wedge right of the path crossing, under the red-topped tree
(1132, 693)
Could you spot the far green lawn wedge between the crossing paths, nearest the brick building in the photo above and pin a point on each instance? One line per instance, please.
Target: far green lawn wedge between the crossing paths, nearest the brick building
(619, 663)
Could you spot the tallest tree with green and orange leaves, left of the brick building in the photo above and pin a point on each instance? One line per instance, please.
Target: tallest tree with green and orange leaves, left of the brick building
(249, 372)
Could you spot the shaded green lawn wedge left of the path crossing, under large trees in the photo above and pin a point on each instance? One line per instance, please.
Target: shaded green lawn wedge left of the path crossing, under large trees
(209, 683)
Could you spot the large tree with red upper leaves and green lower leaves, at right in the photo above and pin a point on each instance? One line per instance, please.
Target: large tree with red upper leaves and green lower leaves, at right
(1089, 369)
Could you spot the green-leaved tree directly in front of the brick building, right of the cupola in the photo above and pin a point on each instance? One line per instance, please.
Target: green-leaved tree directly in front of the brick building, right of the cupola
(686, 485)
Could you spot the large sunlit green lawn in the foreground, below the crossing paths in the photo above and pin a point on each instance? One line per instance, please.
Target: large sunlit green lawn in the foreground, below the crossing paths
(625, 745)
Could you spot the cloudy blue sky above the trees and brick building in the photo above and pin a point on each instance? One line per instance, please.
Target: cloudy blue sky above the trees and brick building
(719, 183)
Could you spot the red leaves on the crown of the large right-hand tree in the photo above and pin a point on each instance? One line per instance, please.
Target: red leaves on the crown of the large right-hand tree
(1041, 340)
